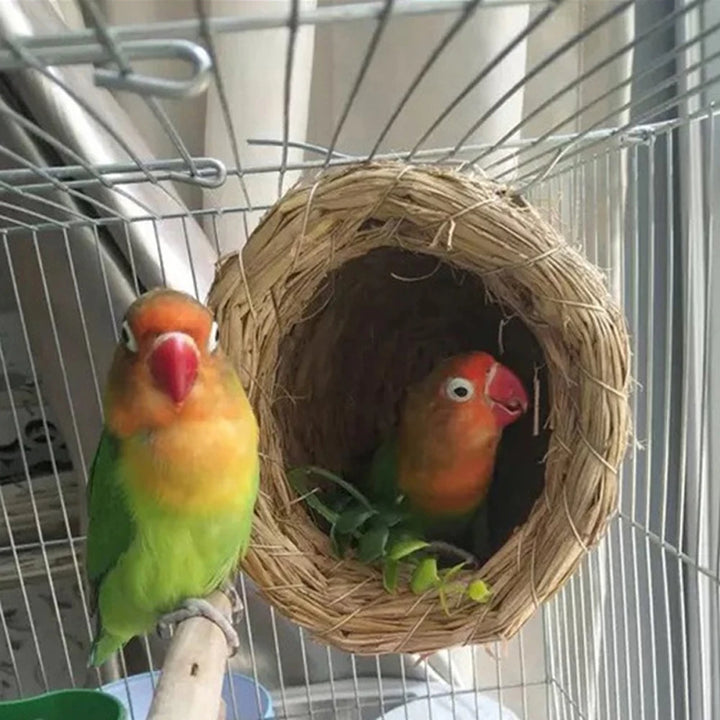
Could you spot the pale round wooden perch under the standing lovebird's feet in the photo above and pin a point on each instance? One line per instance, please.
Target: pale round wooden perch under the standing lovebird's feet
(190, 685)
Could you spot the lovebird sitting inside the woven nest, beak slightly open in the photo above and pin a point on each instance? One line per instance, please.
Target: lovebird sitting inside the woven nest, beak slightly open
(441, 459)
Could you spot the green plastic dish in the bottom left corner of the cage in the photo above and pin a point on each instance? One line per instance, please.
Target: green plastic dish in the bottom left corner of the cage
(64, 705)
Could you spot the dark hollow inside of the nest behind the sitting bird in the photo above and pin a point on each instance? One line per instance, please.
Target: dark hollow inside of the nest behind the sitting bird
(378, 324)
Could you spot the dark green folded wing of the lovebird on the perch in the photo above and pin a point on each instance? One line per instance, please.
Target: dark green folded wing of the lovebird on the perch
(110, 522)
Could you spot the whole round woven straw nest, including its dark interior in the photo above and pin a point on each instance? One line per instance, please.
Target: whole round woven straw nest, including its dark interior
(353, 286)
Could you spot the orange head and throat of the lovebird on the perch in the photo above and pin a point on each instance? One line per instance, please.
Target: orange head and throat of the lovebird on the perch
(168, 364)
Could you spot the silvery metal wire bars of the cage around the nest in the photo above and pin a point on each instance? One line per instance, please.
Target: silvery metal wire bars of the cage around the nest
(633, 657)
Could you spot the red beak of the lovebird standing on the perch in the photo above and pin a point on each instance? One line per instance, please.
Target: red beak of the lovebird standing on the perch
(174, 364)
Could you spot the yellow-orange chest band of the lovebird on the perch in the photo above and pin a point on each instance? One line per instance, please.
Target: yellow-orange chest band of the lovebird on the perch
(195, 466)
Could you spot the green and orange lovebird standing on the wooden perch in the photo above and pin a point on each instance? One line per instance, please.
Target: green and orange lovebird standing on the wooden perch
(174, 481)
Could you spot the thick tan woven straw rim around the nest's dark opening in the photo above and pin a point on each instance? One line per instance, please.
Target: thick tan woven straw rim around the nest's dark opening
(260, 294)
